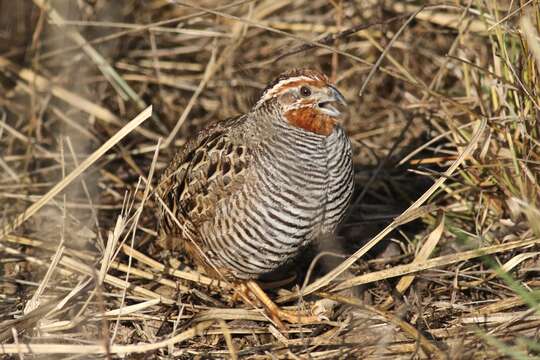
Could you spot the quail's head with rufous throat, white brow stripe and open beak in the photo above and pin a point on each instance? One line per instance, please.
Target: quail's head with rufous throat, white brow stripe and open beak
(306, 99)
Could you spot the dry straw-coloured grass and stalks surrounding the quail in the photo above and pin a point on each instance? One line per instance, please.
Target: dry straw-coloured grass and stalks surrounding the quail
(441, 246)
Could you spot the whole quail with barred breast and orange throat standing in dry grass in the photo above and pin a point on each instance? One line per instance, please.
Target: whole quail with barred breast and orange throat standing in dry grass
(245, 195)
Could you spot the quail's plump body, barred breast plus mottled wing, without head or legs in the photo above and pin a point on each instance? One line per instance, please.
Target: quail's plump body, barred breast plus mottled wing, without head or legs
(252, 191)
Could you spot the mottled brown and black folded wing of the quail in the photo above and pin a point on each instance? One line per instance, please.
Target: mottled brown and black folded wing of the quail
(206, 170)
